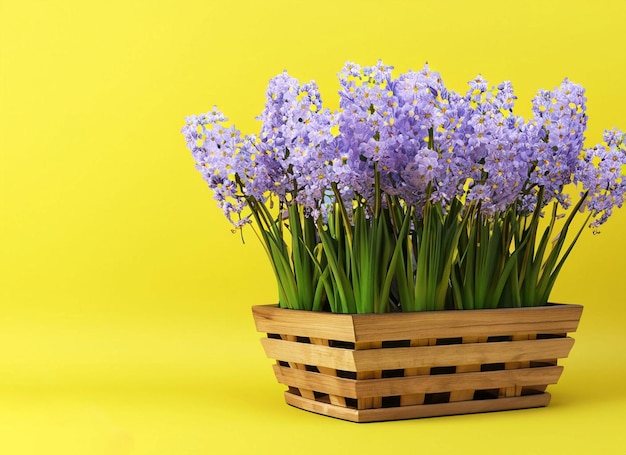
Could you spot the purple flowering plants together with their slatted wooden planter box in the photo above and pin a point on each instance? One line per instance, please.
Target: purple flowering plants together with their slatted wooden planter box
(383, 221)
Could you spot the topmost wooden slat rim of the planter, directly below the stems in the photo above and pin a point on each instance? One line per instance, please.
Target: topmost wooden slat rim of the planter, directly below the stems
(428, 324)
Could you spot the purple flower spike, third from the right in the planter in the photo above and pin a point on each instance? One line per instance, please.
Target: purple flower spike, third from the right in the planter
(486, 146)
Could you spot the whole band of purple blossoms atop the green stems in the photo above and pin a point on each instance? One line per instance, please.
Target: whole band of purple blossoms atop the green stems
(426, 142)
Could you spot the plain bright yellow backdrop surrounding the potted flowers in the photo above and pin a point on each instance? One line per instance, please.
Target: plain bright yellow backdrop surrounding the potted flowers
(125, 323)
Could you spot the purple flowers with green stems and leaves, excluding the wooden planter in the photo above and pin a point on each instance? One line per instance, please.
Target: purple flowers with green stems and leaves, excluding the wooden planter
(411, 196)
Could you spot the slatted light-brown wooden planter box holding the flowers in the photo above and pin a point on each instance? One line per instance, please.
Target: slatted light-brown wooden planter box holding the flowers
(375, 367)
